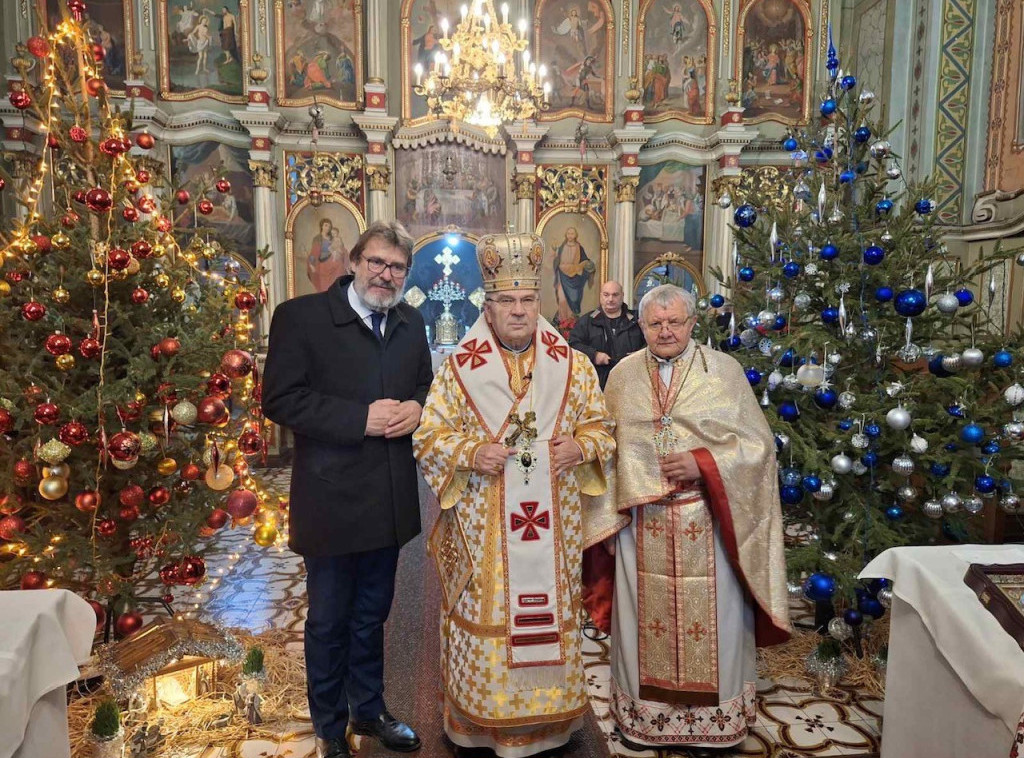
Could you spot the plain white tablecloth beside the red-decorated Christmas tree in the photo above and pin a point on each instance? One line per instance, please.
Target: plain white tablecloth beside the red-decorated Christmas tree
(45, 636)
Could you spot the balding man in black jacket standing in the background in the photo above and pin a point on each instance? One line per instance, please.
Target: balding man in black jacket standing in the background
(610, 333)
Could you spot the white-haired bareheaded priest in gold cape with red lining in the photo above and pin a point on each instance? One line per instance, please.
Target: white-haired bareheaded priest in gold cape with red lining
(700, 575)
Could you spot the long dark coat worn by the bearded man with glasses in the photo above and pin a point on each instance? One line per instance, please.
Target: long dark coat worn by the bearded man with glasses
(350, 493)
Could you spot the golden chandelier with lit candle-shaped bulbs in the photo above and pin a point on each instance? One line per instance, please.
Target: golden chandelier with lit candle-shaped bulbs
(485, 76)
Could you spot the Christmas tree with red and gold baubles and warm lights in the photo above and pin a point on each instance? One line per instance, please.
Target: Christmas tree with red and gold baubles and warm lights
(129, 391)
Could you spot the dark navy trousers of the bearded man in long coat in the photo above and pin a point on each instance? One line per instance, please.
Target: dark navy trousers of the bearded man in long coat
(350, 601)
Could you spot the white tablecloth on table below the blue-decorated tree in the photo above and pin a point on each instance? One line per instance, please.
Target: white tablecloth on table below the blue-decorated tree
(955, 685)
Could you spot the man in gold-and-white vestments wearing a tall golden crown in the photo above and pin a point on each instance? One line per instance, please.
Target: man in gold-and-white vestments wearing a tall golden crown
(514, 431)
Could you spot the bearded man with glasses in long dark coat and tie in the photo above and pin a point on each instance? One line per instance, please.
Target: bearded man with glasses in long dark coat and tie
(348, 372)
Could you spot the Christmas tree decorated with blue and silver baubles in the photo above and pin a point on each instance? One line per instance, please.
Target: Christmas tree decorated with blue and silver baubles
(890, 384)
